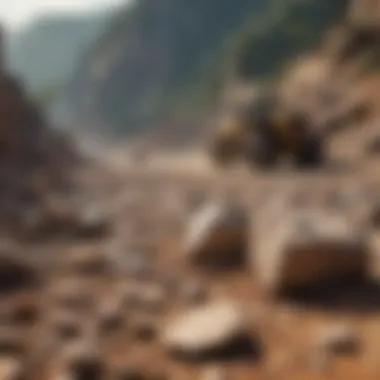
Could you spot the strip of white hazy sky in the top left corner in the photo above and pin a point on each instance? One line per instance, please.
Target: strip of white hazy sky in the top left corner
(15, 13)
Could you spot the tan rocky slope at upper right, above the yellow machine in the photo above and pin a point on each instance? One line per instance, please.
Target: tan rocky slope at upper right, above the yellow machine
(331, 84)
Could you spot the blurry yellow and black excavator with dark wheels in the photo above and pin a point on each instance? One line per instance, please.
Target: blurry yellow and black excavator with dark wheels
(266, 131)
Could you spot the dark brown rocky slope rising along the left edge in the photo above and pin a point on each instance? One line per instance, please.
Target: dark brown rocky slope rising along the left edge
(35, 160)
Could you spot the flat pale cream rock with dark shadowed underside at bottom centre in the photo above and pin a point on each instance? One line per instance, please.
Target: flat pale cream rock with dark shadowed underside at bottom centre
(217, 330)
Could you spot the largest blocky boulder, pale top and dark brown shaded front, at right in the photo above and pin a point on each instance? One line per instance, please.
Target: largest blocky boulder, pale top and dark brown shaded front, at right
(307, 247)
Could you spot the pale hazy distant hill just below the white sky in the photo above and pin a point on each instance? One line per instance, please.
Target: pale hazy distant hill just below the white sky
(46, 52)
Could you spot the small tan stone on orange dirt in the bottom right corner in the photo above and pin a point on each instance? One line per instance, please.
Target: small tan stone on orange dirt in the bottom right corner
(339, 339)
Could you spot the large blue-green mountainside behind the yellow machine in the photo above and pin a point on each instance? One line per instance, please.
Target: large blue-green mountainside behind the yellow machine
(167, 58)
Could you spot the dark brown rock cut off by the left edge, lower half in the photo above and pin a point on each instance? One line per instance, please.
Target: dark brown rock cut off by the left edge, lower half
(17, 273)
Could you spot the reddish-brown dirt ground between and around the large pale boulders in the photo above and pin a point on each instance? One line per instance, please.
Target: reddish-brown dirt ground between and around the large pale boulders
(149, 202)
